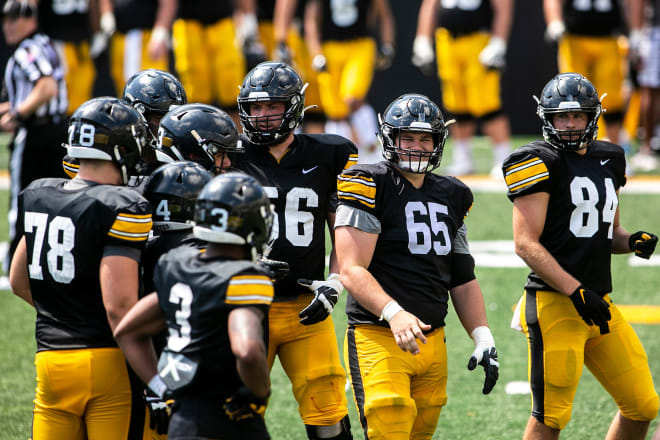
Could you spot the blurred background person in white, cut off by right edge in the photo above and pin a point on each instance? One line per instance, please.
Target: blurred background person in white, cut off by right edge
(645, 54)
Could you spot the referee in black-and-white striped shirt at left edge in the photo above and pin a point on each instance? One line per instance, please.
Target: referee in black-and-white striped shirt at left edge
(35, 110)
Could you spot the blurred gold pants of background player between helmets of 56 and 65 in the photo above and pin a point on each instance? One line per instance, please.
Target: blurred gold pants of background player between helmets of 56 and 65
(350, 69)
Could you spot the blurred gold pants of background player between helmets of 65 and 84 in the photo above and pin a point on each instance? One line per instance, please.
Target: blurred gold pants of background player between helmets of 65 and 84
(468, 88)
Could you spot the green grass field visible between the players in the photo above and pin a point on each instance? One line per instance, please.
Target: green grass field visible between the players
(468, 414)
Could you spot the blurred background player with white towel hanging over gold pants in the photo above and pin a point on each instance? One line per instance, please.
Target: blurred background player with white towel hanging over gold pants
(142, 39)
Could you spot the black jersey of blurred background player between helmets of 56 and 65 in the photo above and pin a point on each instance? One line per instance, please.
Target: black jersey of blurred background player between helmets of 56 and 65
(344, 20)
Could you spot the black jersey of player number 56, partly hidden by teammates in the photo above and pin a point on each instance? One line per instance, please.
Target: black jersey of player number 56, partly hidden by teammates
(302, 186)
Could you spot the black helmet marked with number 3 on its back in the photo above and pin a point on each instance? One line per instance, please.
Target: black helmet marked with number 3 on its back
(233, 208)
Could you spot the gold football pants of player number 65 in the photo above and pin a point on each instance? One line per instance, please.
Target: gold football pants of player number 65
(399, 396)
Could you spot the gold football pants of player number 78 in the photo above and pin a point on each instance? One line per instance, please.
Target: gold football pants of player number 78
(81, 394)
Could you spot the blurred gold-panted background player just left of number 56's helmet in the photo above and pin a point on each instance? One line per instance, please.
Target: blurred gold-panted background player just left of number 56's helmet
(208, 49)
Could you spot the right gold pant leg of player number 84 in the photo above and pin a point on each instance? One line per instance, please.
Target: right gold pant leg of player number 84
(620, 364)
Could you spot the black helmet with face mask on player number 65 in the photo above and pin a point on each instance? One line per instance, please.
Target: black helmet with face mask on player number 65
(418, 114)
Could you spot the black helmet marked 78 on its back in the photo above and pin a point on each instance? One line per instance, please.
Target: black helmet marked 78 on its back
(107, 128)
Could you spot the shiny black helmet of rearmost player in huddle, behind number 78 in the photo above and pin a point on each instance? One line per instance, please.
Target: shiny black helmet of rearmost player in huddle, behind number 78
(151, 92)
